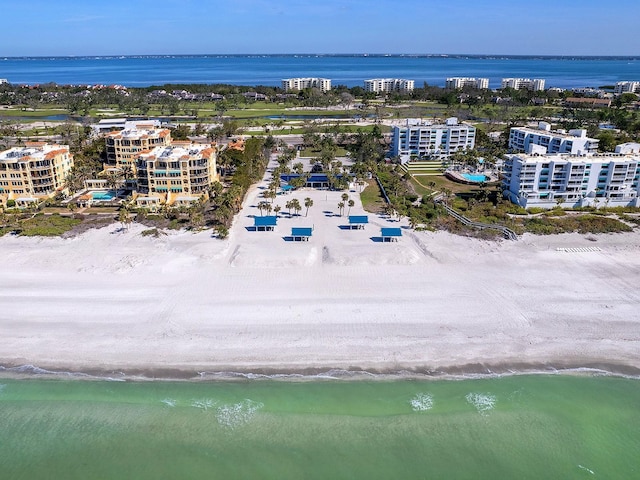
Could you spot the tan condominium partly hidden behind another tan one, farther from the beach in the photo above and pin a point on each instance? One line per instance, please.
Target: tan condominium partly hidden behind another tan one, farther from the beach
(124, 146)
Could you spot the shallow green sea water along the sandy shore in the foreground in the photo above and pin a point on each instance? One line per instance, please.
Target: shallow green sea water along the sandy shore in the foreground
(524, 427)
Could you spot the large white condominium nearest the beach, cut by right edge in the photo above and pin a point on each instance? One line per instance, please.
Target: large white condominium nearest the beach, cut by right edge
(572, 181)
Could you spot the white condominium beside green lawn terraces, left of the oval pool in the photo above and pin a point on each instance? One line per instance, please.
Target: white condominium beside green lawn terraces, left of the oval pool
(419, 139)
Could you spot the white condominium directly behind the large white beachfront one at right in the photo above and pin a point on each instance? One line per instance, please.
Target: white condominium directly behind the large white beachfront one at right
(543, 140)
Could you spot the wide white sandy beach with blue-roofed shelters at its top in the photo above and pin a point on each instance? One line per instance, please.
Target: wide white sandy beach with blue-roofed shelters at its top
(110, 301)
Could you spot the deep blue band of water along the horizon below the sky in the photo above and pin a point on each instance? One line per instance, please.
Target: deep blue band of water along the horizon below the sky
(350, 70)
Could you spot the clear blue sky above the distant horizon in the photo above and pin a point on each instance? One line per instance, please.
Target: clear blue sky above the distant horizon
(130, 27)
